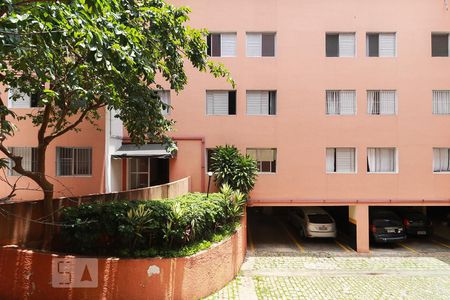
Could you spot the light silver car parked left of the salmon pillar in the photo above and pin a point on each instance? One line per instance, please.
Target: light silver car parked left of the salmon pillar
(312, 222)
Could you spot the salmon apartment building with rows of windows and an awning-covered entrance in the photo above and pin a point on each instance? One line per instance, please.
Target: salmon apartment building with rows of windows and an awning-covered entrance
(341, 103)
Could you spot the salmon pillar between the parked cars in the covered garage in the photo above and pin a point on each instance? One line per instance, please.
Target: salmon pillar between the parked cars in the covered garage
(359, 215)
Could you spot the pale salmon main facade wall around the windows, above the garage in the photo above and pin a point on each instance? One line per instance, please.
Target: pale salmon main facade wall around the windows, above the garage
(301, 73)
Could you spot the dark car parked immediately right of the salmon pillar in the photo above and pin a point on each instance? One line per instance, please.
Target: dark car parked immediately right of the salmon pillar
(385, 226)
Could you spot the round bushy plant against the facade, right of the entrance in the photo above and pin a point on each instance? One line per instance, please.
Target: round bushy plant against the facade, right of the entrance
(232, 168)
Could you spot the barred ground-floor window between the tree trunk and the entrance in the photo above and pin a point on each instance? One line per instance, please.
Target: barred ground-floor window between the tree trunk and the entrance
(73, 161)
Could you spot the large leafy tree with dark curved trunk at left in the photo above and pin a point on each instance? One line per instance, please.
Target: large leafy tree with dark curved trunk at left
(82, 56)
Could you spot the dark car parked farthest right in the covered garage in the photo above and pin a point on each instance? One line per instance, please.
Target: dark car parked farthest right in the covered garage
(415, 222)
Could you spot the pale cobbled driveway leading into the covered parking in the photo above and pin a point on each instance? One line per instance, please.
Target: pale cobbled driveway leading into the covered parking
(280, 266)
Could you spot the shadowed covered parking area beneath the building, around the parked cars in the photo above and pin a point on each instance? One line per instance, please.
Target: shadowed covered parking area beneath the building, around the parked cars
(270, 231)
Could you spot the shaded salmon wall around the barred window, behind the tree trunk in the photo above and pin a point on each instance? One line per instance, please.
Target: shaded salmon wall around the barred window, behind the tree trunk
(64, 185)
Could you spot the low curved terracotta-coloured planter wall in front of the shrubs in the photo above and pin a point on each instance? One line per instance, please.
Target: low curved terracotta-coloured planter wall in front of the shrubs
(26, 274)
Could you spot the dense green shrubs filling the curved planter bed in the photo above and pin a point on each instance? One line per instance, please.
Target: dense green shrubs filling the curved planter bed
(169, 227)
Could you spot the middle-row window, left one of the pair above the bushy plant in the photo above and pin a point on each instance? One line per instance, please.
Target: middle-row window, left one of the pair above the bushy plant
(221, 103)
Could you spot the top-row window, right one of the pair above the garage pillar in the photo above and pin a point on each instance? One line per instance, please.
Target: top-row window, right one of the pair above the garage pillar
(381, 44)
